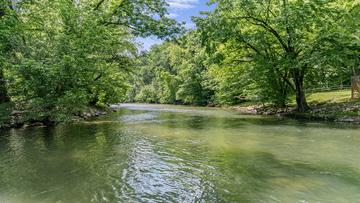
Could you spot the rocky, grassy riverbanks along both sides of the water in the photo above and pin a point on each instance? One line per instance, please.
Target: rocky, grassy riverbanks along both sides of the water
(334, 106)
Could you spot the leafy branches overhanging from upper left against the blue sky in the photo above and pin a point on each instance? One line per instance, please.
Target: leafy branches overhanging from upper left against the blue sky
(142, 17)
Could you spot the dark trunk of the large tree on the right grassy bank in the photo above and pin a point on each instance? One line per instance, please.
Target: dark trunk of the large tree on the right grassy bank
(301, 102)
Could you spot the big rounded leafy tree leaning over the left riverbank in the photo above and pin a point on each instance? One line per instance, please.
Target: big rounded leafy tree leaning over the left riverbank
(68, 66)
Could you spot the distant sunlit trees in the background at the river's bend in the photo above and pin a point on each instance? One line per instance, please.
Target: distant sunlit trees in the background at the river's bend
(172, 73)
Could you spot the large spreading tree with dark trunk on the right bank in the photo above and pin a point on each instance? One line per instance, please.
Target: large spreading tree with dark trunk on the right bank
(280, 37)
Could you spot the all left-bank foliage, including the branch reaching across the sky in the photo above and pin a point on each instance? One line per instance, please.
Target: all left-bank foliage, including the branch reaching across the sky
(60, 57)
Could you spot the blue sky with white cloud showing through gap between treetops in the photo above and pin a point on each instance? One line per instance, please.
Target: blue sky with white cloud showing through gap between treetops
(180, 10)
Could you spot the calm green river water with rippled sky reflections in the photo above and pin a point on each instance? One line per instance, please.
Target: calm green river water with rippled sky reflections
(150, 153)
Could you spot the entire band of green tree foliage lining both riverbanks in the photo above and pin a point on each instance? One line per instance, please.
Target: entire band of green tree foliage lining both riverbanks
(58, 57)
